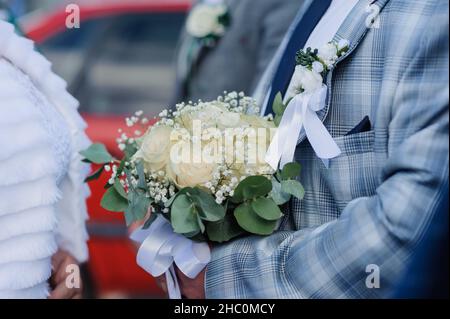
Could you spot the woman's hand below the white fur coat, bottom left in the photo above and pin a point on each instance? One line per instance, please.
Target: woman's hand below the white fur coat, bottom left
(60, 261)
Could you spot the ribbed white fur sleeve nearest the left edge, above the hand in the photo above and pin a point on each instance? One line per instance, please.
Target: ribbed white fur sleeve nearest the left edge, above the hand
(28, 192)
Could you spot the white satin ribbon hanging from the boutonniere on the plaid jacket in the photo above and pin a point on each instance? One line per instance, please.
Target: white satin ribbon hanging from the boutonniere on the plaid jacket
(300, 114)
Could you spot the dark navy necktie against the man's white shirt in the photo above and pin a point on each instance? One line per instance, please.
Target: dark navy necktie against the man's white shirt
(298, 40)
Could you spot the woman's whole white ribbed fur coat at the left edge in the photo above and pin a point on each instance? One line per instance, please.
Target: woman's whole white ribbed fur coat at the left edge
(39, 211)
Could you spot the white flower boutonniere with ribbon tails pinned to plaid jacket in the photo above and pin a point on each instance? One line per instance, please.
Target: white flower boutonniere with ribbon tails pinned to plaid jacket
(305, 97)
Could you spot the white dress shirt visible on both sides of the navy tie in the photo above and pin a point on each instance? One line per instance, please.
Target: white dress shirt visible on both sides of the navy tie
(323, 33)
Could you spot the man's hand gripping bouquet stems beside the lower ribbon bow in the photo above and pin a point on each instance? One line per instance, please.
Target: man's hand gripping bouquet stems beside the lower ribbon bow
(190, 288)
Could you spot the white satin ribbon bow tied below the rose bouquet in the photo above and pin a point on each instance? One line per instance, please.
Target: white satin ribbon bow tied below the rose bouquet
(161, 248)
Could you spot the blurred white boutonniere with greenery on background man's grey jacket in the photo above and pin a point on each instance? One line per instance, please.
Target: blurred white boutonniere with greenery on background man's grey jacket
(208, 22)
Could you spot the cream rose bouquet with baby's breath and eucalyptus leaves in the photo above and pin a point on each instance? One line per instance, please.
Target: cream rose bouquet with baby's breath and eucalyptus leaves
(202, 168)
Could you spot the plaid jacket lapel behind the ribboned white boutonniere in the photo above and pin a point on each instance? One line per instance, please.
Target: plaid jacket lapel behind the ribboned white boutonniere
(354, 28)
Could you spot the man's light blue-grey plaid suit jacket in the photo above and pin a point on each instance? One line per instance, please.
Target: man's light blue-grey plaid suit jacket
(374, 202)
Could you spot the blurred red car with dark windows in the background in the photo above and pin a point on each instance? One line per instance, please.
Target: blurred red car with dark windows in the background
(119, 61)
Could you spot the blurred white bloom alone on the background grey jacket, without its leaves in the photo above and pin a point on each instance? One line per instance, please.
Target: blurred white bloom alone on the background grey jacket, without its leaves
(203, 21)
